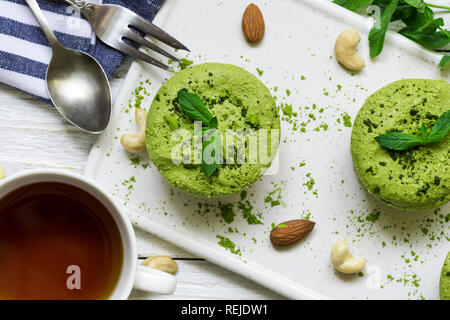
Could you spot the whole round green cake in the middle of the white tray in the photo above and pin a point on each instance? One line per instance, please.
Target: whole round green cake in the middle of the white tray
(239, 101)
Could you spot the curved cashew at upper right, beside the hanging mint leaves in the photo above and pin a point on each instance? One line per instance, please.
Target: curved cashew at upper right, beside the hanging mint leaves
(345, 50)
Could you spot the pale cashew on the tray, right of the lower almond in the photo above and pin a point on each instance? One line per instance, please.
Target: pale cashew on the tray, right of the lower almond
(343, 261)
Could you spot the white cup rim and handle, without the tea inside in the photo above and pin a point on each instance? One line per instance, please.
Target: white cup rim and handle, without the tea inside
(132, 274)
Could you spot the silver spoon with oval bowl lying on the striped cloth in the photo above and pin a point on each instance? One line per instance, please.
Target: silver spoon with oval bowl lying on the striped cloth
(76, 83)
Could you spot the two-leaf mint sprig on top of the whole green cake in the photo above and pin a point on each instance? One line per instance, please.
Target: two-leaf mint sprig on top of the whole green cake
(192, 106)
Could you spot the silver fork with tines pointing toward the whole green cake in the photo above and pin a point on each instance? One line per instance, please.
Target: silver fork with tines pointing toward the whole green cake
(113, 24)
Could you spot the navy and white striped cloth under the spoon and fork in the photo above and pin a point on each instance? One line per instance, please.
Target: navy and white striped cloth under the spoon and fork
(25, 52)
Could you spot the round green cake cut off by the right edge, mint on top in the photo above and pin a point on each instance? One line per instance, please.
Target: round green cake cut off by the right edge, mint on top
(413, 179)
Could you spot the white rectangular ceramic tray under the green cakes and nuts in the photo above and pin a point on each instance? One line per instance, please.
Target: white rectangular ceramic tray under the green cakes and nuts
(404, 250)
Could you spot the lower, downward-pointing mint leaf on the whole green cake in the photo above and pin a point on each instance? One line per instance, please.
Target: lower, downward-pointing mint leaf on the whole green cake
(211, 152)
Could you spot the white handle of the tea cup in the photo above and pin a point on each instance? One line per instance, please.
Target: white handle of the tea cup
(152, 280)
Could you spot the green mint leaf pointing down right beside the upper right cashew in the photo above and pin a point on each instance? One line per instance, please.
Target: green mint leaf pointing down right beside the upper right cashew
(377, 35)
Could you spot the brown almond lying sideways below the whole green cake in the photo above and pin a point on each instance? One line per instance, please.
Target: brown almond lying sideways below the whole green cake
(288, 232)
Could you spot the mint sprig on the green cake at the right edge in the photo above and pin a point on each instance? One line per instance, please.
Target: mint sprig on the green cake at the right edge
(403, 141)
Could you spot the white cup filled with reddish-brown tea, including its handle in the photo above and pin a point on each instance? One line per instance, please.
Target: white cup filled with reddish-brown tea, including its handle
(63, 237)
